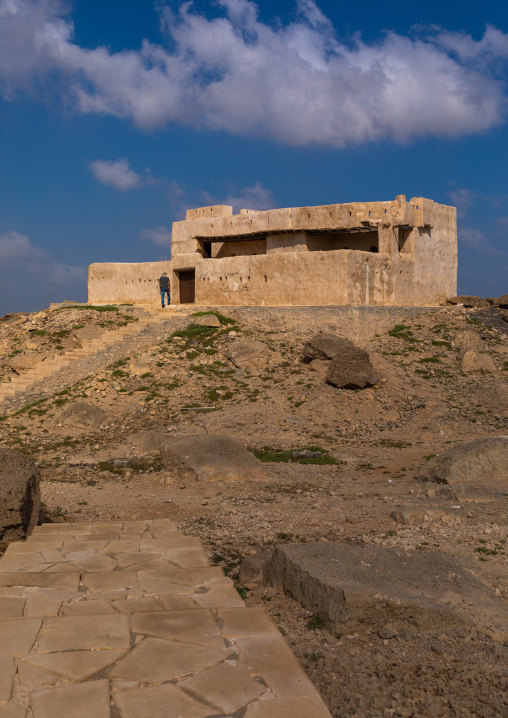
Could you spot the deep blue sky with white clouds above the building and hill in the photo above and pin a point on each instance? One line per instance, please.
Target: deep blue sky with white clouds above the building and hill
(115, 116)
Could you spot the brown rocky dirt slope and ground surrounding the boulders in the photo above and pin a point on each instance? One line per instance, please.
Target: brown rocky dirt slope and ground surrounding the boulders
(378, 438)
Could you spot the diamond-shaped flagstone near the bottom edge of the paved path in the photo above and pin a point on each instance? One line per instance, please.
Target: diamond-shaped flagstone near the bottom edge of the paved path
(224, 687)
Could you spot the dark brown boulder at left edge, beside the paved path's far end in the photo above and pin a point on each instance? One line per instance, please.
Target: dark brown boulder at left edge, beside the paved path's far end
(20, 496)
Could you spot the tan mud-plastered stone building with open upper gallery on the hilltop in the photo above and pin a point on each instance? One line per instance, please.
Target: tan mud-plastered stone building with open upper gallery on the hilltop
(395, 253)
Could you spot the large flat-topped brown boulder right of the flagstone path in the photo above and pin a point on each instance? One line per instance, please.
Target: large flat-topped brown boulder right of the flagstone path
(354, 587)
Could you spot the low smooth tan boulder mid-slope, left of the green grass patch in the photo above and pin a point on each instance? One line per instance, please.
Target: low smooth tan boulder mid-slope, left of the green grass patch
(211, 457)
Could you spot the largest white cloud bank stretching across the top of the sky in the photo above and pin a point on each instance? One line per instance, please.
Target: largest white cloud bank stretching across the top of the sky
(297, 83)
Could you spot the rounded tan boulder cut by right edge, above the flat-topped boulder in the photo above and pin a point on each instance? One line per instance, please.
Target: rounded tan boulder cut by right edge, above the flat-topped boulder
(481, 462)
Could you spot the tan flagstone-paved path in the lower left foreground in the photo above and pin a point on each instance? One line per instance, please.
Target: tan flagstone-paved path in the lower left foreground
(128, 620)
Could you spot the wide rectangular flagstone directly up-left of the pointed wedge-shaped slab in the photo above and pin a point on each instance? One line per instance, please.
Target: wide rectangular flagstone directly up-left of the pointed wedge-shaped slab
(72, 633)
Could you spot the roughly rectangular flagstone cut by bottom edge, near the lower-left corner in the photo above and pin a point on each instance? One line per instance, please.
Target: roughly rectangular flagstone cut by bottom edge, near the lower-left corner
(79, 701)
